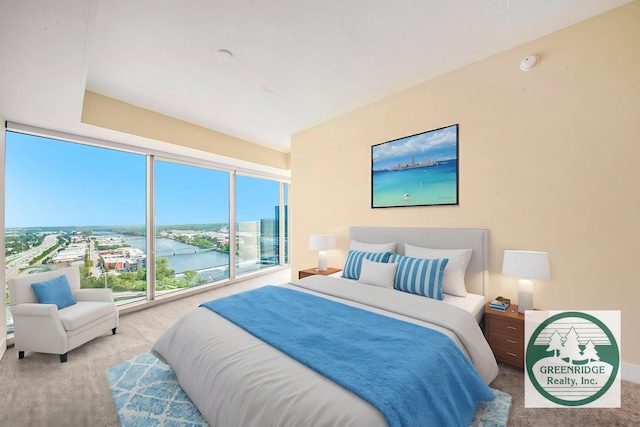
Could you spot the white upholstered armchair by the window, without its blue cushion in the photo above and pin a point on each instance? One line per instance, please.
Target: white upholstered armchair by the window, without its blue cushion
(43, 328)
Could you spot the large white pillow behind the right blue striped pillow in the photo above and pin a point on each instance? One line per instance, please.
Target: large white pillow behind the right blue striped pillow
(453, 280)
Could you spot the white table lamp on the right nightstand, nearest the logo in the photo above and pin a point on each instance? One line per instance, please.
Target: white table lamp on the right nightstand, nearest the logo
(526, 265)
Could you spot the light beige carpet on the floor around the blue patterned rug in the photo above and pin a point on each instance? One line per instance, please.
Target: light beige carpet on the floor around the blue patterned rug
(40, 391)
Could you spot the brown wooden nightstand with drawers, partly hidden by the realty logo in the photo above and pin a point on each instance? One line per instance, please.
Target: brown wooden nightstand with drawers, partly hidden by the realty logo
(505, 333)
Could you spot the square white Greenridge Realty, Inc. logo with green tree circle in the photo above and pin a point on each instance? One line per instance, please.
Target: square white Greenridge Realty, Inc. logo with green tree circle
(572, 359)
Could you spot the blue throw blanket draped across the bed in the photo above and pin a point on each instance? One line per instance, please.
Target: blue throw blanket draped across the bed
(414, 375)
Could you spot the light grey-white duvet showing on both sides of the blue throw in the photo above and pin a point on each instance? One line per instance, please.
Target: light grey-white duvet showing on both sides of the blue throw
(236, 379)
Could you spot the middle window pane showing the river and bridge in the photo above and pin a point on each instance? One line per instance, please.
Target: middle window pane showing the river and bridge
(192, 225)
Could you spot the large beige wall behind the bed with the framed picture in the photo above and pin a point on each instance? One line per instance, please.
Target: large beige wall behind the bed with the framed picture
(549, 160)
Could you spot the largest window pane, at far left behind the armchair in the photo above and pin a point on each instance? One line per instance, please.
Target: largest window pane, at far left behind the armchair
(74, 204)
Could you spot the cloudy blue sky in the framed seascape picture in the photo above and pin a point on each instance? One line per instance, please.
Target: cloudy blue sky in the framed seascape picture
(439, 144)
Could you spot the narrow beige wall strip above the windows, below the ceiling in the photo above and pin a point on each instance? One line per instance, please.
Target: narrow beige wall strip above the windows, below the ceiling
(110, 113)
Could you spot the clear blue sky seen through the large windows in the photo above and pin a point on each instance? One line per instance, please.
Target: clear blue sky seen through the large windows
(56, 183)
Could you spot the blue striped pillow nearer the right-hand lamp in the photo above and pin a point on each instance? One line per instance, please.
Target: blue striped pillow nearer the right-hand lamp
(420, 276)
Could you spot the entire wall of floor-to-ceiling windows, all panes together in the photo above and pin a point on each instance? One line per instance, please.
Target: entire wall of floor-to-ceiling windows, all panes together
(70, 203)
